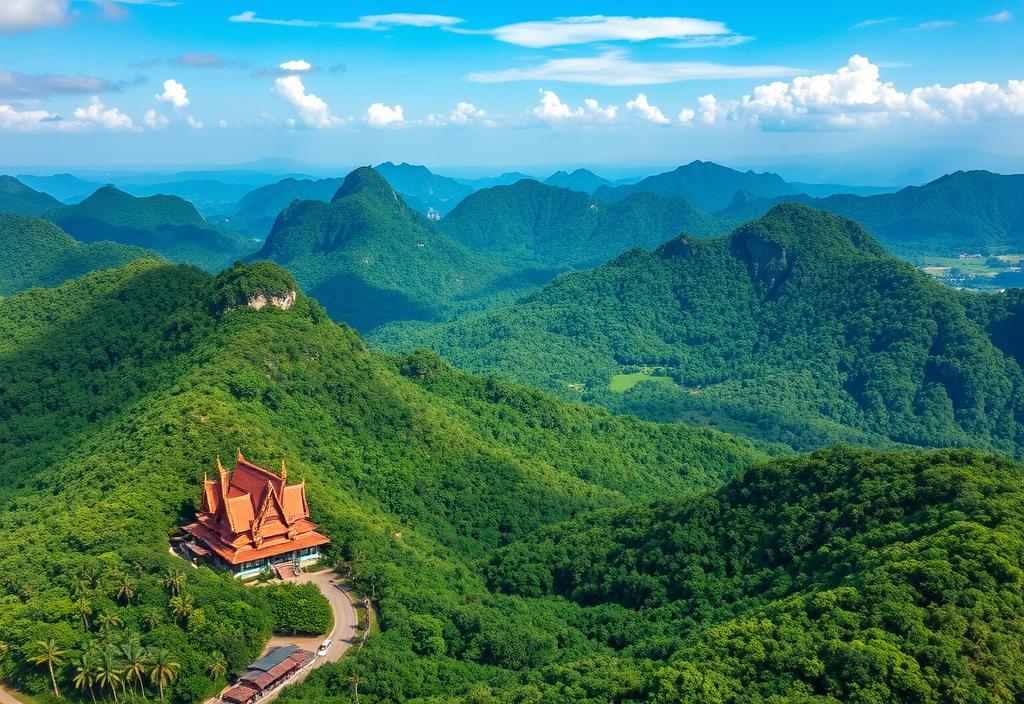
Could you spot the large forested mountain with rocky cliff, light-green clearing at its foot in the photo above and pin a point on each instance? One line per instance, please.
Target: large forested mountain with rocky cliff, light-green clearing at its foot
(798, 329)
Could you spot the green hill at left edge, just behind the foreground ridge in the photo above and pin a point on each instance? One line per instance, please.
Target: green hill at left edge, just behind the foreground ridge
(37, 253)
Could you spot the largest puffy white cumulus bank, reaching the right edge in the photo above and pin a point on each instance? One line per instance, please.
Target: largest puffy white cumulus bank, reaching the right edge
(856, 97)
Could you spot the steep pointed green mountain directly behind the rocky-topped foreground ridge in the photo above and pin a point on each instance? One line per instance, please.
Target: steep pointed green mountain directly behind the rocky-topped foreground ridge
(370, 259)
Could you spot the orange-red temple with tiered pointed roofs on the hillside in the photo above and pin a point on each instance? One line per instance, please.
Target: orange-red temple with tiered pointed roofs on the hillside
(252, 520)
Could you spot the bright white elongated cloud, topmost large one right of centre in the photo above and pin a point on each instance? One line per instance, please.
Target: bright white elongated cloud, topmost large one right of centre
(585, 30)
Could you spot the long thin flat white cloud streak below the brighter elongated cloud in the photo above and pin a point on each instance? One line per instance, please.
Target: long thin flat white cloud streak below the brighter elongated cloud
(615, 68)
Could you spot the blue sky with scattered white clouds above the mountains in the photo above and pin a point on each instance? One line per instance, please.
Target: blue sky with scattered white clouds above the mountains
(865, 91)
